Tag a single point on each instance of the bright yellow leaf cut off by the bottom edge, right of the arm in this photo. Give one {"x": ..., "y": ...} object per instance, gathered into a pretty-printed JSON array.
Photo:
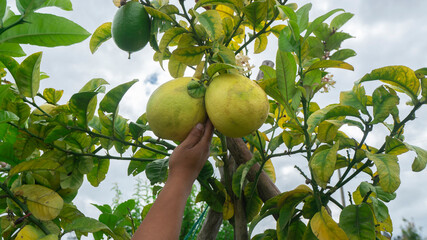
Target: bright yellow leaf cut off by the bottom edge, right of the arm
[{"x": 324, "y": 227}]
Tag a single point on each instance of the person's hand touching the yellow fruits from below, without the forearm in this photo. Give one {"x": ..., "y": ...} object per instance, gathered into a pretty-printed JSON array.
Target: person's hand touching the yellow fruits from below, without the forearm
[{"x": 188, "y": 159}]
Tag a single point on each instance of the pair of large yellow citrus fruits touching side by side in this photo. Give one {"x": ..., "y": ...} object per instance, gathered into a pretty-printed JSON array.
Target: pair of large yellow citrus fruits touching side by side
[{"x": 236, "y": 106}]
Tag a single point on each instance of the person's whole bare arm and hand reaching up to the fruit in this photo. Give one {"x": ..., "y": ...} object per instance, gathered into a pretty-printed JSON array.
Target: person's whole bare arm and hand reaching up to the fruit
[{"x": 164, "y": 219}]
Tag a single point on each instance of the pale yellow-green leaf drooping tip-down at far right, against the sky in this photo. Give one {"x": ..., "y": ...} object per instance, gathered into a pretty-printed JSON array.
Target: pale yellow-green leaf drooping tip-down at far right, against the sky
[{"x": 388, "y": 170}]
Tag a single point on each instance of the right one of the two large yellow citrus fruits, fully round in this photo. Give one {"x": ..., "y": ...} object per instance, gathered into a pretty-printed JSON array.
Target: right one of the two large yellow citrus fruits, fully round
[{"x": 236, "y": 105}]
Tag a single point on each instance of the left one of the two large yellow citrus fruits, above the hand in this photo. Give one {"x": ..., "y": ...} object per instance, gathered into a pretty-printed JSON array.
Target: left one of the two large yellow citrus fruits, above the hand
[{"x": 172, "y": 112}]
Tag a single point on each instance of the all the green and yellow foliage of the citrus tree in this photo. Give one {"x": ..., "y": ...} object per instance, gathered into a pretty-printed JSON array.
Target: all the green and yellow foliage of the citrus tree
[{"x": 49, "y": 148}]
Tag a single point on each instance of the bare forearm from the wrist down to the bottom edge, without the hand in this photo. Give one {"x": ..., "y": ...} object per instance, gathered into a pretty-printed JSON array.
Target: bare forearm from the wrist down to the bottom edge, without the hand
[{"x": 164, "y": 219}]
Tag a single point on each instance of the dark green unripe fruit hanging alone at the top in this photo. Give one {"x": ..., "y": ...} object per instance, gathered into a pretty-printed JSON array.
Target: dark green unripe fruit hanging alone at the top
[{"x": 131, "y": 27}]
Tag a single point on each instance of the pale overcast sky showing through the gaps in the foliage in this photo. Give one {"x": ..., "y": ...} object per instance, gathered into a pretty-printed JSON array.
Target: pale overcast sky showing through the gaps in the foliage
[{"x": 386, "y": 32}]
